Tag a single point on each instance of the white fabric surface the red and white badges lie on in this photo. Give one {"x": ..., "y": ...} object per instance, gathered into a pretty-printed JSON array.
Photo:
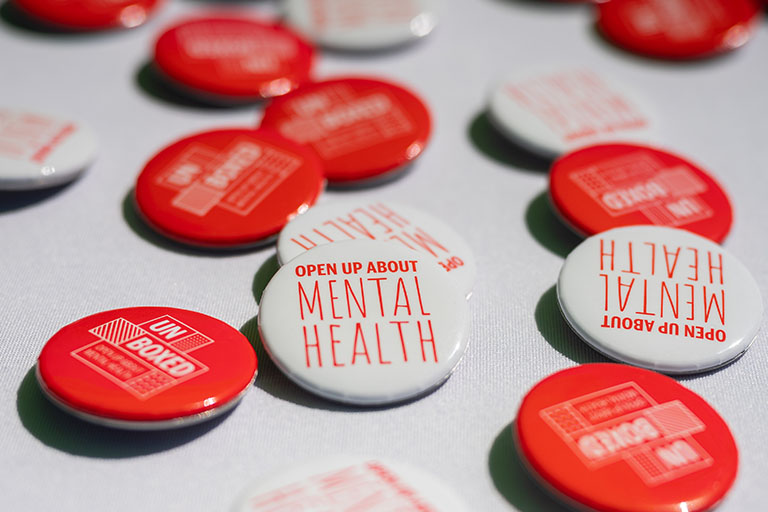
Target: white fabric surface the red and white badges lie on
[{"x": 80, "y": 250}]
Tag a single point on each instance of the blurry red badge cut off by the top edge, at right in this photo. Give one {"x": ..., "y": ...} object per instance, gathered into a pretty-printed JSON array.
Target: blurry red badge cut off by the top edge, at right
[{"x": 678, "y": 29}]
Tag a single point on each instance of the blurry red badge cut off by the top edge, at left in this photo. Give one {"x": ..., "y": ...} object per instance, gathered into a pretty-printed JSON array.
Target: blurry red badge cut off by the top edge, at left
[{"x": 90, "y": 14}]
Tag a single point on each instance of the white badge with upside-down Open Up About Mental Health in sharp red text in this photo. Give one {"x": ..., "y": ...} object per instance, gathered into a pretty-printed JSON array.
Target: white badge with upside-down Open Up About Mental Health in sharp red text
[{"x": 661, "y": 298}]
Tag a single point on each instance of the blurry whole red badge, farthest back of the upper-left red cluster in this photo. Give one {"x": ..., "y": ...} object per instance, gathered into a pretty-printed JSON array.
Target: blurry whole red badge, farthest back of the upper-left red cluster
[{"x": 233, "y": 58}]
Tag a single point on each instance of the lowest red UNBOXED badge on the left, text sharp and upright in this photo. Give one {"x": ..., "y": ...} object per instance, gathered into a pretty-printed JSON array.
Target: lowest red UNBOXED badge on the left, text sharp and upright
[{"x": 146, "y": 368}]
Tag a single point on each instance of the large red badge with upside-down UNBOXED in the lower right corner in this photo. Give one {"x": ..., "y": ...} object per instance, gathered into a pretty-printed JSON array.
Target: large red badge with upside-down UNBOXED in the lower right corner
[{"x": 618, "y": 438}]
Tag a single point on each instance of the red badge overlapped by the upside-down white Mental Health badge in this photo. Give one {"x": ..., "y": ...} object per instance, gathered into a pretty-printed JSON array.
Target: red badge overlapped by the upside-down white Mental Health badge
[{"x": 607, "y": 186}]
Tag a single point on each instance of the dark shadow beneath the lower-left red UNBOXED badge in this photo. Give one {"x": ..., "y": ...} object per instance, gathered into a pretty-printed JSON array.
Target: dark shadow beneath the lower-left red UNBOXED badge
[{"x": 57, "y": 429}]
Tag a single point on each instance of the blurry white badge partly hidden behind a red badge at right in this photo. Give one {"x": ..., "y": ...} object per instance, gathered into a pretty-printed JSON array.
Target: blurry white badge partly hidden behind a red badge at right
[{"x": 553, "y": 112}]
